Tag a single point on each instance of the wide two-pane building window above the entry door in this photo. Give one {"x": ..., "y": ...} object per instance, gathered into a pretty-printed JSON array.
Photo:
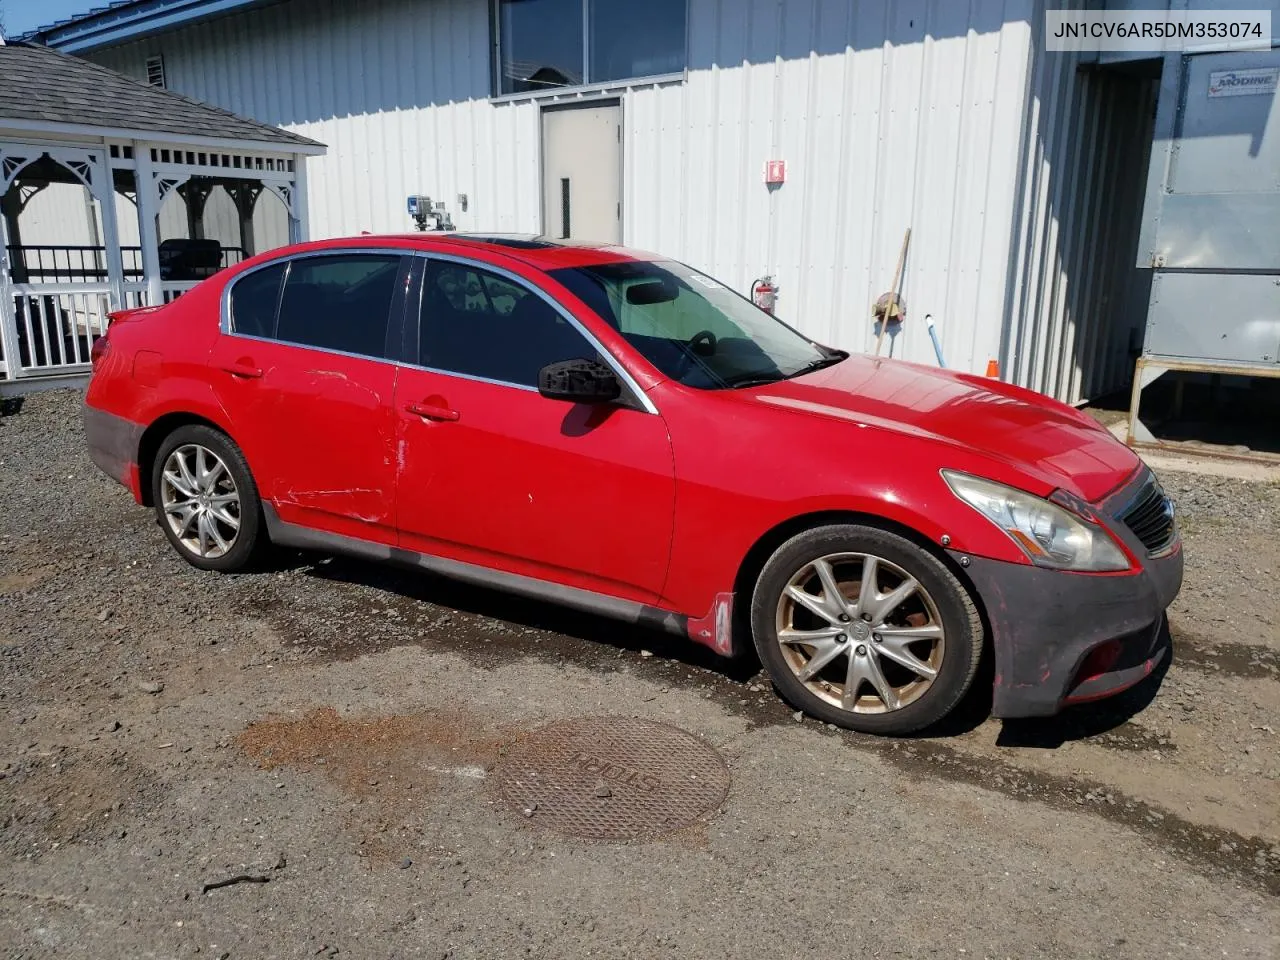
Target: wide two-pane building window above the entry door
[{"x": 548, "y": 44}]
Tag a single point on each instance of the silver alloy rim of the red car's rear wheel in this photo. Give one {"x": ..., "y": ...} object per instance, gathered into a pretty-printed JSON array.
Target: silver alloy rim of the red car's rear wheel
[{"x": 200, "y": 501}]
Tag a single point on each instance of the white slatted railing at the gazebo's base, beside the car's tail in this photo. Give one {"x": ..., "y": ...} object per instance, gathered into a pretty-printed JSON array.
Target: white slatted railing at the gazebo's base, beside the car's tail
[{"x": 57, "y": 326}]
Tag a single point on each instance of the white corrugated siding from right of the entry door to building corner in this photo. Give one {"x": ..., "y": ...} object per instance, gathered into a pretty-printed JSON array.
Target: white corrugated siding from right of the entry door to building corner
[{"x": 889, "y": 116}]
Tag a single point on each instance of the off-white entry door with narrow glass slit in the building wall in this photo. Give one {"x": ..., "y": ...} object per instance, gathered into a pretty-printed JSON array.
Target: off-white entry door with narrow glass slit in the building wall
[{"x": 583, "y": 172}]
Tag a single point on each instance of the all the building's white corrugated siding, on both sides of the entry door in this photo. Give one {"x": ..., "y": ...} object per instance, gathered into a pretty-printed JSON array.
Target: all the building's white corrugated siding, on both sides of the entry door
[{"x": 889, "y": 115}]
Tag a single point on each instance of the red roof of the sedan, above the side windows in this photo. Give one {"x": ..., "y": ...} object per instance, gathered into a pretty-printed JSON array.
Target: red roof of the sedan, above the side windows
[{"x": 541, "y": 253}]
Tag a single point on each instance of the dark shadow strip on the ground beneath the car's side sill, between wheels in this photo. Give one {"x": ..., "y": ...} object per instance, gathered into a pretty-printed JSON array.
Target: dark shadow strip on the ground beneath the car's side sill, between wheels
[{"x": 610, "y": 636}]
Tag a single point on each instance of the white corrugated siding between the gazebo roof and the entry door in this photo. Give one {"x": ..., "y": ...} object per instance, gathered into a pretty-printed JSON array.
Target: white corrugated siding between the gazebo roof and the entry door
[{"x": 396, "y": 89}]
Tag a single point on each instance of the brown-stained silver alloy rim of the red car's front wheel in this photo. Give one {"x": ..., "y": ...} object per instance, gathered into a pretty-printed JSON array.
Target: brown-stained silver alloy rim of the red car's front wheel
[{"x": 861, "y": 633}]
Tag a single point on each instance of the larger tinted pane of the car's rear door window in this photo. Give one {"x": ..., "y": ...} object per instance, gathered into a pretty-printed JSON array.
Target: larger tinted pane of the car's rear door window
[{"x": 340, "y": 303}]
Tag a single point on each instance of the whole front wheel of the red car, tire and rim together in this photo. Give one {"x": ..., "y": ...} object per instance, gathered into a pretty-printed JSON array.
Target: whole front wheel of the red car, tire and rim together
[{"x": 888, "y": 641}]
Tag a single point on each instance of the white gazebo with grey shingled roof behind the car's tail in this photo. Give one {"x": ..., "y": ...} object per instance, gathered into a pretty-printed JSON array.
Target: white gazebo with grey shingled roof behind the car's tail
[{"x": 116, "y": 194}]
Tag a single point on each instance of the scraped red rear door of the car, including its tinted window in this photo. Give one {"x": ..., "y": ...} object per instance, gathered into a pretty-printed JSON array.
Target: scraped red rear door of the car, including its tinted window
[{"x": 303, "y": 371}]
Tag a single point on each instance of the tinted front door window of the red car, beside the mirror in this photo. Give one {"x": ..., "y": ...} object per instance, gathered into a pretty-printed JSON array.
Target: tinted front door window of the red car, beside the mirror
[{"x": 481, "y": 324}]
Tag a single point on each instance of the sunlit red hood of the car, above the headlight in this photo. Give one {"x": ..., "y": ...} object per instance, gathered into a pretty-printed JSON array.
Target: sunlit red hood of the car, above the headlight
[{"x": 1052, "y": 445}]
